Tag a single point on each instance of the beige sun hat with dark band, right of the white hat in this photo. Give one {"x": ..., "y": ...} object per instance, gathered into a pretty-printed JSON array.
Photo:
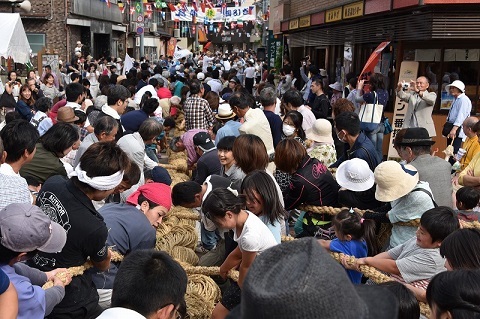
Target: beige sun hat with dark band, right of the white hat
[{"x": 394, "y": 180}]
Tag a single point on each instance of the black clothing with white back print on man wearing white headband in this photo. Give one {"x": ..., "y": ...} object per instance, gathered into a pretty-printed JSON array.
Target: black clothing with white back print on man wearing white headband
[{"x": 87, "y": 233}]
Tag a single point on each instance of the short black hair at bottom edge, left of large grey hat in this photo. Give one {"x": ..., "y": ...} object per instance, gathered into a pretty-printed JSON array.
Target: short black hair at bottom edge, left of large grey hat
[{"x": 148, "y": 280}]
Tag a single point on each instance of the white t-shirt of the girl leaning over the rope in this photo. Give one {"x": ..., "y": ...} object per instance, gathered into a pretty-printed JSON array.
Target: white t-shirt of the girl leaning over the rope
[{"x": 255, "y": 236}]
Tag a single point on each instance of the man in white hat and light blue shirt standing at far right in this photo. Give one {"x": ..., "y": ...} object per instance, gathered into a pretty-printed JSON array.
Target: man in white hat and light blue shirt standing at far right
[{"x": 460, "y": 110}]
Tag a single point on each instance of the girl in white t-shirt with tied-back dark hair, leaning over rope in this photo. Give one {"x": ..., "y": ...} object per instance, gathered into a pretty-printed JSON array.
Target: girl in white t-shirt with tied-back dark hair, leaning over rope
[{"x": 225, "y": 209}]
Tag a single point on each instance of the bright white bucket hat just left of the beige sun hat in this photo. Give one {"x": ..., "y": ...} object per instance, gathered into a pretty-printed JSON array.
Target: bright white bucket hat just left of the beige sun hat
[{"x": 355, "y": 175}]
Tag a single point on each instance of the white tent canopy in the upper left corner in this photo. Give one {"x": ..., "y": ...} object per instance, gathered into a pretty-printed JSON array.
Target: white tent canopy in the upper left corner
[{"x": 13, "y": 40}]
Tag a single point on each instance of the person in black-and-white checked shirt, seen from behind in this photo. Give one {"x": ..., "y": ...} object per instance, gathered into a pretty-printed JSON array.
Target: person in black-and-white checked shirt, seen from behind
[{"x": 198, "y": 114}]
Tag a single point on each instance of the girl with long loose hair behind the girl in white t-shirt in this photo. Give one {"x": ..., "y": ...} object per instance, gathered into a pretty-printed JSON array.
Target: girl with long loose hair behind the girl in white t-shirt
[{"x": 262, "y": 200}]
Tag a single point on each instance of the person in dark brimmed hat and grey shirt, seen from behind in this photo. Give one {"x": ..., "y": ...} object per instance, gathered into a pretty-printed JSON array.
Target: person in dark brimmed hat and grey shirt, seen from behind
[{"x": 414, "y": 147}]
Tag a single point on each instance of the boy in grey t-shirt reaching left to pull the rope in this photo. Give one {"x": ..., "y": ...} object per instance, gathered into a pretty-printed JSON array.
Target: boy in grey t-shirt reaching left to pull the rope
[{"x": 418, "y": 259}]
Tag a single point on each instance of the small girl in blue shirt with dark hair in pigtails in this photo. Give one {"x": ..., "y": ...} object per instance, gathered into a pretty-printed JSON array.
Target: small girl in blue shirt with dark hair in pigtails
[{"x": 355, "y": 237}]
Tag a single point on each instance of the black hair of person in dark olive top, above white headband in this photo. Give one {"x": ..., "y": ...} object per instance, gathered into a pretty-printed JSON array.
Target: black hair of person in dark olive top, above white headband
[{"x": 59, "y": 137}]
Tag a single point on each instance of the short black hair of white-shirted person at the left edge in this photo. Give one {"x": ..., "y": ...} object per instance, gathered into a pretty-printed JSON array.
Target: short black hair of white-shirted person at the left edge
[{"x": 18, "y": 136}]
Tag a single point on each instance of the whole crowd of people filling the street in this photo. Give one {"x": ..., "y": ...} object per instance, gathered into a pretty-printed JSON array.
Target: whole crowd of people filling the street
[{"x": 80, "y": 173}]
